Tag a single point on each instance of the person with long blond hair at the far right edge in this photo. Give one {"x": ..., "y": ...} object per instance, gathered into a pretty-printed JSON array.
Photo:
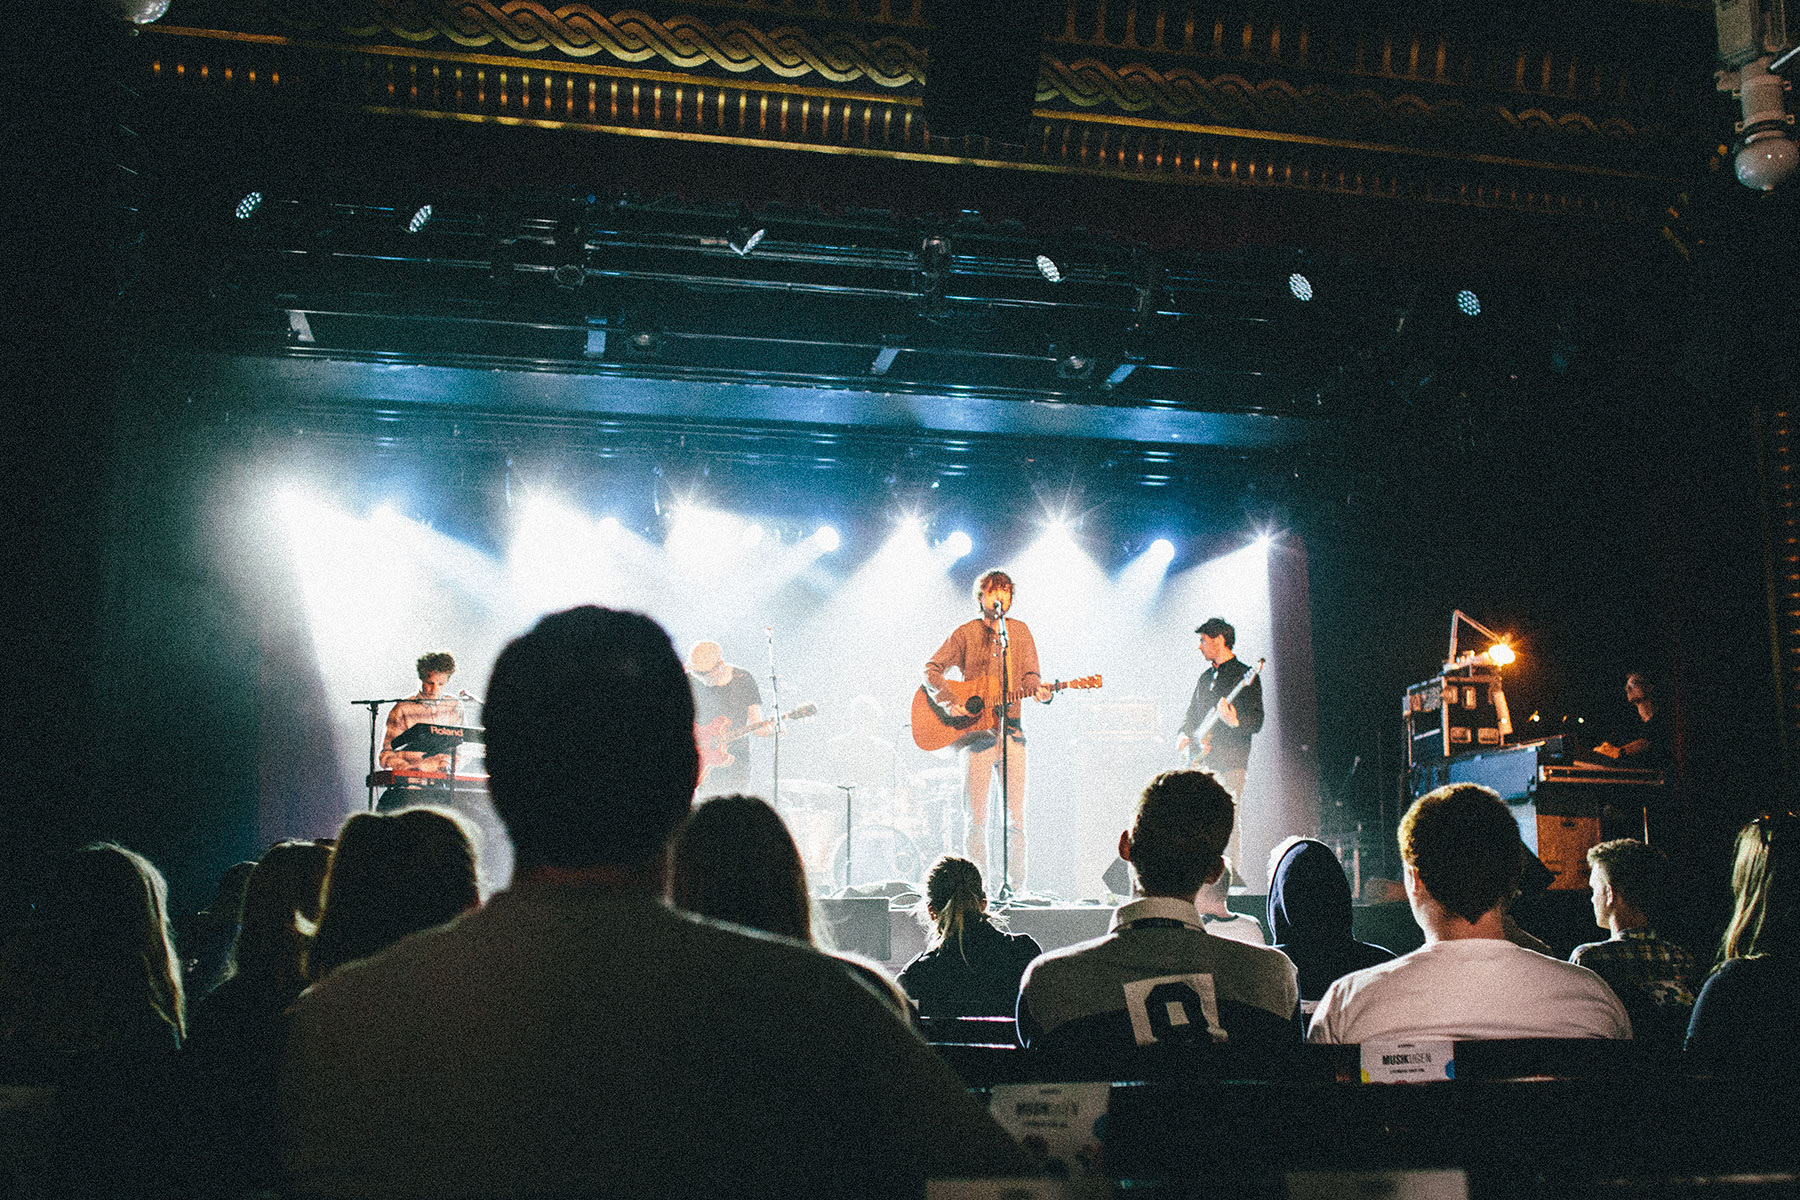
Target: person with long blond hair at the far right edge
[{"x": 1747, "y": 1019}]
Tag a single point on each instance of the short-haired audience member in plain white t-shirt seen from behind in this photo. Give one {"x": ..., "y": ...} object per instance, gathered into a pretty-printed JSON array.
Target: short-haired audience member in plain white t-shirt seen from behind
[{"x": 1464, "y": 857}]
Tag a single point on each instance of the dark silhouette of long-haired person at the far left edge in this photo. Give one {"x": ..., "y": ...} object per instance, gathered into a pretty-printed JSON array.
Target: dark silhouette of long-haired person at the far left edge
[{"x": 91, "y": 1016}]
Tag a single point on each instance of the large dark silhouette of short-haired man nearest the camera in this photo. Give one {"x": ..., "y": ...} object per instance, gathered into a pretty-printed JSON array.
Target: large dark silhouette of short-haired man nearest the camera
[{"x": 580, "y": 1037}]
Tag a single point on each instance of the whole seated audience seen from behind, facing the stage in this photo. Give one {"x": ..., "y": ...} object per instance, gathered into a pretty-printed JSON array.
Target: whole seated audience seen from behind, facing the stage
[{"x": 647, "y": 1010}]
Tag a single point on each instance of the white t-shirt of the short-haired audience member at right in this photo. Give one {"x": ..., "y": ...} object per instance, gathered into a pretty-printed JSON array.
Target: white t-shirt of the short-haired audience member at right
[{"x": 1470, "y": 990}]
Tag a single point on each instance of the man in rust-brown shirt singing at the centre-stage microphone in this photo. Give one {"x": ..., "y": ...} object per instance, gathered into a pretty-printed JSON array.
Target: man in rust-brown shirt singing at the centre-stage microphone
[{"x": 975, "y": 652}]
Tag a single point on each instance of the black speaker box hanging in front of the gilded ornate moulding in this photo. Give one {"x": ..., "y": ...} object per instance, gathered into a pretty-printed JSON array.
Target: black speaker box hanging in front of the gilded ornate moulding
[{"x": 982, "y": 64}]
